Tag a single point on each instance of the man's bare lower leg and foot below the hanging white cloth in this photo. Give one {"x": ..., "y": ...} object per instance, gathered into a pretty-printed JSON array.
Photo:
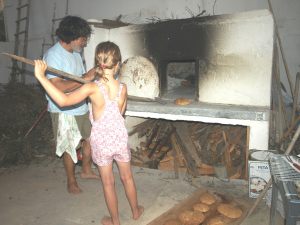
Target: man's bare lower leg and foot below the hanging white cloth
[{"x": 70, "y": 172}]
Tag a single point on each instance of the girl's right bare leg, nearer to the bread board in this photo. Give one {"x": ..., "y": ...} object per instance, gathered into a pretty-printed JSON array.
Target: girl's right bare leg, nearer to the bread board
[{"x": 130, "y": 189}]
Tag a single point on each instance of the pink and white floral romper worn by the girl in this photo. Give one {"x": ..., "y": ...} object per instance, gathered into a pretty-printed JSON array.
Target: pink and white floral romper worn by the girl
[{"x": 109, "y": 137}]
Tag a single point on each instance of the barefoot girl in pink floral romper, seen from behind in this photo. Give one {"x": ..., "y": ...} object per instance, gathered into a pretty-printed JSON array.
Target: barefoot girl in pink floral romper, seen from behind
[{"x": 109, "y": 138}]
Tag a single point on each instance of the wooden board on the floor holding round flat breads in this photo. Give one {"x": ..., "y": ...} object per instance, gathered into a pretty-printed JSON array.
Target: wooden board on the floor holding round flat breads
[{"x": 188, "y": 203}]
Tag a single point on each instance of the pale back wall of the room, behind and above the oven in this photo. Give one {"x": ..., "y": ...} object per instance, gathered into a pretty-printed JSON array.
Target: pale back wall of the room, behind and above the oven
[{"x": 141, "y": 11}]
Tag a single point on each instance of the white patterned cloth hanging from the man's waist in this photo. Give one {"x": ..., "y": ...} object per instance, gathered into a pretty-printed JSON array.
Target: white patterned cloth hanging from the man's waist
[{"x": 68, "y": 136}]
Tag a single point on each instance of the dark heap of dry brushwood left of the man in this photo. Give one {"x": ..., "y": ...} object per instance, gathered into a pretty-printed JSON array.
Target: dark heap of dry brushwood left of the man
[{"x": 22, "y": 107}]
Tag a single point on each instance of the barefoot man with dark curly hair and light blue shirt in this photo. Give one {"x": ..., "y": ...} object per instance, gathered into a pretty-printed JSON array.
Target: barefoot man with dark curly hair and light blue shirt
[{"x": 71, "y": 124}]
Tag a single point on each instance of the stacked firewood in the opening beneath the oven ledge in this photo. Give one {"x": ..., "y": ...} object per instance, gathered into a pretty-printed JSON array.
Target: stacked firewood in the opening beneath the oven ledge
[{"x": 192, "y": 147}]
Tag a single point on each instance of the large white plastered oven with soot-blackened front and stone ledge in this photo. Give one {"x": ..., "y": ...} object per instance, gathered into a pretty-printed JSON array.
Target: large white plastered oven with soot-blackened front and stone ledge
[{"x": 227, "y": 59}]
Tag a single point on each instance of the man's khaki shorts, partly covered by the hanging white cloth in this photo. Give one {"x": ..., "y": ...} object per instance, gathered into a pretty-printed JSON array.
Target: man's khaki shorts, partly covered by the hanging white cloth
[{"x": 83, "y": 123}]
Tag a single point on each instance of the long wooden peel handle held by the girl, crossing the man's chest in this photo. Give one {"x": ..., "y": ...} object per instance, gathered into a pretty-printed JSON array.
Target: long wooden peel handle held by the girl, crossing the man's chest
[{"x": 57, "y": 72}]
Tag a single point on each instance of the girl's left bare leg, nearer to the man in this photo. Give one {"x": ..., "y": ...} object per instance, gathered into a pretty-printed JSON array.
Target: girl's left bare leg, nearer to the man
[{"x": 108, "y": 182}]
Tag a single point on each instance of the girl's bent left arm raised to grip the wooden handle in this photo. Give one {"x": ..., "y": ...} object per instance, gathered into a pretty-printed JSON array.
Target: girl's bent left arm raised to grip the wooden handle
[{"x": 57, "y": 95}]
